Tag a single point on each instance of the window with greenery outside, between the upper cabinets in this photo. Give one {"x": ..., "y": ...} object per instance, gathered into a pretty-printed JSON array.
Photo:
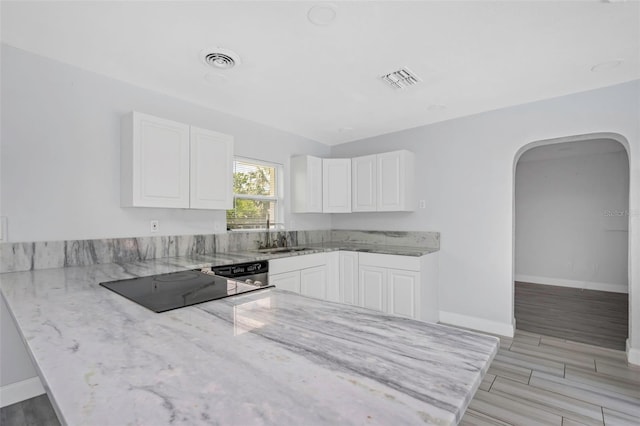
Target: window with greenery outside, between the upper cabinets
[{"x": 256, "y": 195}]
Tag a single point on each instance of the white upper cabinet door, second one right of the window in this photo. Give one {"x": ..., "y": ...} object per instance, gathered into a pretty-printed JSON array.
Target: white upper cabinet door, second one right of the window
[{"x": 336, "y": 185}]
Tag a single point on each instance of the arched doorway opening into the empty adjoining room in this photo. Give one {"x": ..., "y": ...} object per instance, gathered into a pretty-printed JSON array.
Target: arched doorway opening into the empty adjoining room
[{"x": 571, "y": 244}]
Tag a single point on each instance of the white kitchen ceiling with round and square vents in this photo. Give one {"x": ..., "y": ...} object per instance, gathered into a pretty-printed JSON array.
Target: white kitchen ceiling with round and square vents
[{"x": 323, "y": 81}]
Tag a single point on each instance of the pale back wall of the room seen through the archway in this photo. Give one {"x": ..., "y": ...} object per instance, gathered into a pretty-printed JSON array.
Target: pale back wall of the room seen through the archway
[{"x": 568, "y": 231}]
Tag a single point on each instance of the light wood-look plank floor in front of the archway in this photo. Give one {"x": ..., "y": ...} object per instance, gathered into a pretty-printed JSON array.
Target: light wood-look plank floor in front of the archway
[{"x": 540, "y": 380}]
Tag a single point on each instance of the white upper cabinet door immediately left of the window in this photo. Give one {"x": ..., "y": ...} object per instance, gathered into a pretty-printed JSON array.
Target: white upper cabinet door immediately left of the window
[{"x": 211, "y": 170}]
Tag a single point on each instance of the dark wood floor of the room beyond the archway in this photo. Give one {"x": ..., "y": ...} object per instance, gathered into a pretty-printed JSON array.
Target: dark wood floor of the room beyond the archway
[{"x": 597, "y": 318}]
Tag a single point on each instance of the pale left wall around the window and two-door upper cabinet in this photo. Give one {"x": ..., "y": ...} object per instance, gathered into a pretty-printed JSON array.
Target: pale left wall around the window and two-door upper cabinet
[{"x": 60, "y": 153}]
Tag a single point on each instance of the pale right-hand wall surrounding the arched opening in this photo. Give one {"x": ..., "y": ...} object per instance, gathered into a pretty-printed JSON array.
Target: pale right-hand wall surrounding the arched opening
[{"x": 465, "y": 171}]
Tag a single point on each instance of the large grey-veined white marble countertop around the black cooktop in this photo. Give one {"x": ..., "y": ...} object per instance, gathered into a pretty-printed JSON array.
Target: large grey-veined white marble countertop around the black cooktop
[{"x": 266, "y": 358}]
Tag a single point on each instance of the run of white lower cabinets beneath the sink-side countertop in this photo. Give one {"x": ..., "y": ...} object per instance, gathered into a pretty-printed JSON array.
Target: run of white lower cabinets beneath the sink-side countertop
[{"x": 399, "y": 285}]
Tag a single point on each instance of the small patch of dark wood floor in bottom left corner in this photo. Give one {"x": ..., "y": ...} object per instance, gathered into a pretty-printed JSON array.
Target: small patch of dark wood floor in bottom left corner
[{"x": 32, "y": 412}]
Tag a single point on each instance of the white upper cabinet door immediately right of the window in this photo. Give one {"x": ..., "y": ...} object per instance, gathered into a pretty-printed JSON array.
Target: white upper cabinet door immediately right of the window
[{"x": 306, "y": 184}]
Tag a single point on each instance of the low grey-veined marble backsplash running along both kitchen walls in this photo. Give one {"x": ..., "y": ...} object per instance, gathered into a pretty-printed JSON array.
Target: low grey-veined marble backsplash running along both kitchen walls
[{"x": 57, "y": 254}]
